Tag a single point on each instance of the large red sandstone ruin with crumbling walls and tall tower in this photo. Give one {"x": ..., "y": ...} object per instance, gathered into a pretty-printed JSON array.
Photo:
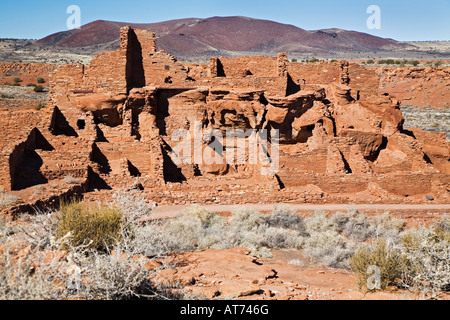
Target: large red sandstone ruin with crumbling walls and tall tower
[{"x": 108, "y": 125}]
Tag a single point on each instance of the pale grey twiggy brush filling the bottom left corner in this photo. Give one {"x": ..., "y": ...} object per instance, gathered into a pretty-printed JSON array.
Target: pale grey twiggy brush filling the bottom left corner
[{"x": 79, "y": 274}]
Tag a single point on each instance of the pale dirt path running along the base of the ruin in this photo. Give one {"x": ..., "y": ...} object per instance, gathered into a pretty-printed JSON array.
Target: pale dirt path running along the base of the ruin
[{"x": 428, "y": 209}]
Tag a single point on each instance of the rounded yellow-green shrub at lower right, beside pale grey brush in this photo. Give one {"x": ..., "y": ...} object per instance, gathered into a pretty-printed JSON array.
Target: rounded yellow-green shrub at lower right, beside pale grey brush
[{"x": 390, "y": 261}]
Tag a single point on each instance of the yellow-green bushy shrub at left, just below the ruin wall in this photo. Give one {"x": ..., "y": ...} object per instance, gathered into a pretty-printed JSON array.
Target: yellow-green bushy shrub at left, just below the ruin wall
[{"x": 96, "y": 228}]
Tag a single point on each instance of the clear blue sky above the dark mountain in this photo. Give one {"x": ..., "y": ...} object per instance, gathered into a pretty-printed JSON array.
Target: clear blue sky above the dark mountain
[{"x": 401, "y": 19}]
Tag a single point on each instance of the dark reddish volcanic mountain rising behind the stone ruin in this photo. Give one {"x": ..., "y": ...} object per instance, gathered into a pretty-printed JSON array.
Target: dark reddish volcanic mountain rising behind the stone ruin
[{"x": 188, "y": 38}]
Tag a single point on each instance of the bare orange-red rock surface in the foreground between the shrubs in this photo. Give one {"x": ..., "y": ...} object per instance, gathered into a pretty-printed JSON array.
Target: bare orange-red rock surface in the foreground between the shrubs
[{"x": 233, "y": 273}]
